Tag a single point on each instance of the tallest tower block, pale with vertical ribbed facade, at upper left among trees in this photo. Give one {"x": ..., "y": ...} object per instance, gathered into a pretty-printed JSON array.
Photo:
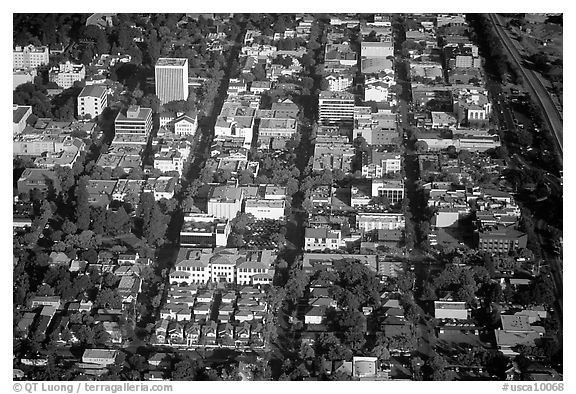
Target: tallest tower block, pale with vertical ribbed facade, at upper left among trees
[{"x": 171, "y": 79}]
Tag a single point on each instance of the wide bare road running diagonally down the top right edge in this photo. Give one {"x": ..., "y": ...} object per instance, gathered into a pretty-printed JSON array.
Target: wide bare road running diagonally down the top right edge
[{"x": 551, "y": 115}]
